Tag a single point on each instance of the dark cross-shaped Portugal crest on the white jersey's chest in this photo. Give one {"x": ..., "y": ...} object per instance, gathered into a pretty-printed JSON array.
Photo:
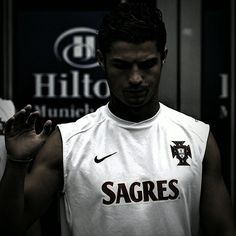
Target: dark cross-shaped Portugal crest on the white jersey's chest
[{"x": 181, "y": 152}]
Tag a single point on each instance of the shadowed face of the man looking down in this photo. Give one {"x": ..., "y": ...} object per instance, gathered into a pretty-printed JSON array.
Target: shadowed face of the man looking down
[{"x": 133, "y": 72}]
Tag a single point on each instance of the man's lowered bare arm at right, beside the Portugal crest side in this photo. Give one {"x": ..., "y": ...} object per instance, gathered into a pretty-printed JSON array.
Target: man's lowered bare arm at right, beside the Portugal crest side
[{"x": 217, "y": 216}]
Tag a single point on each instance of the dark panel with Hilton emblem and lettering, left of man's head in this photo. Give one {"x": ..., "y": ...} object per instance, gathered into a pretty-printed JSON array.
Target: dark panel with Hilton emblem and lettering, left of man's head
[{"x": 55, "y": 66}]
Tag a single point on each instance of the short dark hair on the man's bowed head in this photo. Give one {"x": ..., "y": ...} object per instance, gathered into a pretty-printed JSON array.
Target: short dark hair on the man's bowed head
[{"x": 134, "y": 23}]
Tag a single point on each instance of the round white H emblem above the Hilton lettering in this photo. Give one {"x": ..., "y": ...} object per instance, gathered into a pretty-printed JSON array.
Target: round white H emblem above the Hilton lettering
[{"x": 77, "y": 47}]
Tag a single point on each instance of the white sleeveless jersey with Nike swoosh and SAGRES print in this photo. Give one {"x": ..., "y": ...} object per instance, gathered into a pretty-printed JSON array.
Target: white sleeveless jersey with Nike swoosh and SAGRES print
[{"x": 125, "y": 178}]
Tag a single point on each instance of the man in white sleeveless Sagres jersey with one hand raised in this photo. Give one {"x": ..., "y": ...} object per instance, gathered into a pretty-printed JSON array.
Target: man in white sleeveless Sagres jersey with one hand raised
[{"x": 135, "y": 166}]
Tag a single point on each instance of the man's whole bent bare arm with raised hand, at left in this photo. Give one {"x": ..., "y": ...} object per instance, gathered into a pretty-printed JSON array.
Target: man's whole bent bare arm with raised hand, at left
[{"x": 23, "y": 198}]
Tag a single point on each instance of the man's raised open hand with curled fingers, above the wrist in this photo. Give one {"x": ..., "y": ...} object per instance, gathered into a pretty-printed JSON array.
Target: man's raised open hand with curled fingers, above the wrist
[{"x": 22, "y": 141}]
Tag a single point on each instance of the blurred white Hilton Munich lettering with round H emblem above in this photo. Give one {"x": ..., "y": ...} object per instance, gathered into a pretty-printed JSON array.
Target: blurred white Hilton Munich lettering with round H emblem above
[{"x": 76, "y": 48}]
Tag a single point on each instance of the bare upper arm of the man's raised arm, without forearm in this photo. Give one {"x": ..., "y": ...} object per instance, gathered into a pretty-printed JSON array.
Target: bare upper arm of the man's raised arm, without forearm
[{"x": 45, "y": 179}]
